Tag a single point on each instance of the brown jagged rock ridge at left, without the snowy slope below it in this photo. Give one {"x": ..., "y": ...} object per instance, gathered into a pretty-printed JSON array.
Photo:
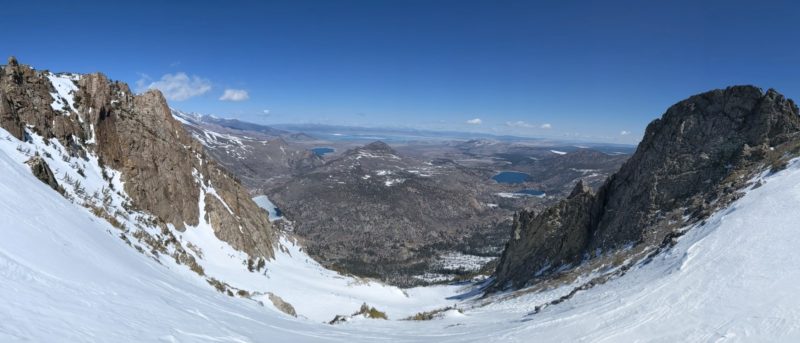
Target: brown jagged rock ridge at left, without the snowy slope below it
[{"x": 163, "y": 168}]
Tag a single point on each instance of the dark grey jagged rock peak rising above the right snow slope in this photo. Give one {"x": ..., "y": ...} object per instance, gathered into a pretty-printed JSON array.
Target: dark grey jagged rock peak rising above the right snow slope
[{"x": 691, "y": 162}]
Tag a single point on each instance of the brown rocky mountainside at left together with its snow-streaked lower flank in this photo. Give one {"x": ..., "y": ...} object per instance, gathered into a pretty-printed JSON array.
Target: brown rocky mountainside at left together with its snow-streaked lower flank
[{"x": 148, "y": 165}]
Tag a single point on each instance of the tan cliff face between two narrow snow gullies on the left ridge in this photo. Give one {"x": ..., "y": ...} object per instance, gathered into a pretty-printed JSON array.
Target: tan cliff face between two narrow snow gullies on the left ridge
[{"x": 136, "y": 135}]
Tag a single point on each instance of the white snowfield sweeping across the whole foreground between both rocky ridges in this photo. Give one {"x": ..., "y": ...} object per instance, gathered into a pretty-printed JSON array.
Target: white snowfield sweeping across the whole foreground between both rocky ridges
[{"x": 66, "y": 276}]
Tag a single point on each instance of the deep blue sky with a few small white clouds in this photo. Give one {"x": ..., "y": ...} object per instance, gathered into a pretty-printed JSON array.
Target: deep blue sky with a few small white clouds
[{"x": 560, "y": 69}]
